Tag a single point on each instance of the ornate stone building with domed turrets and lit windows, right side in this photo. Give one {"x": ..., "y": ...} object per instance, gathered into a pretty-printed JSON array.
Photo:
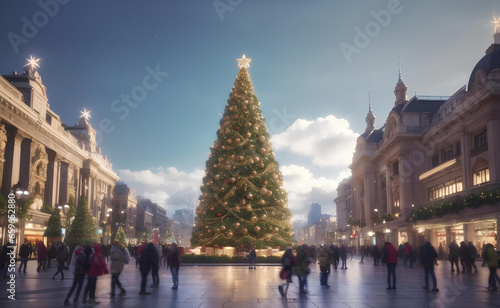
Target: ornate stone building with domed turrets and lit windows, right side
[{"x": 432, "y": 171}]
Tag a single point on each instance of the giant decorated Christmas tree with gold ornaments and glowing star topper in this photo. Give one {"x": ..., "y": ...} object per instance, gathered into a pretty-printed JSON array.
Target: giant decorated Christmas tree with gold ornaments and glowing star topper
[{"x": 242, "y": 200}]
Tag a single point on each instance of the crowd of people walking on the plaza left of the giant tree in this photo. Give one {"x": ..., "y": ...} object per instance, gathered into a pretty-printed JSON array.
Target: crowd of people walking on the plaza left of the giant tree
[{"x": 95, "y": 261}]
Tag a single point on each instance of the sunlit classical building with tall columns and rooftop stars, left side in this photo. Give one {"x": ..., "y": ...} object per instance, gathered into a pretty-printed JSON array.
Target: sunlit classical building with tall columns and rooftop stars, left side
[{"x": 57, "y": 164}]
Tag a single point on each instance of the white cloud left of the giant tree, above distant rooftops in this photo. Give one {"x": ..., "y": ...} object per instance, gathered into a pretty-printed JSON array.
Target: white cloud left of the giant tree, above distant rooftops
[{"x": 168, "y": 187}]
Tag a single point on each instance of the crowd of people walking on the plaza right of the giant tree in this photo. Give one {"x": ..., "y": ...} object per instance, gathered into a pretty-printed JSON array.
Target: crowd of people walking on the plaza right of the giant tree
[{"x": 331, "y": 257}]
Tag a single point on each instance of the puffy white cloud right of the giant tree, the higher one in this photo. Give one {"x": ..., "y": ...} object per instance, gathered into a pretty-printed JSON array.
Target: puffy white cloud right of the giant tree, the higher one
[{"x": 328, "y": 141}]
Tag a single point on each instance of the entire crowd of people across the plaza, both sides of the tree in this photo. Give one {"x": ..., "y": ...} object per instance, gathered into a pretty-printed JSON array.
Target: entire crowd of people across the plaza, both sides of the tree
[{"x": 92, "y": 261}]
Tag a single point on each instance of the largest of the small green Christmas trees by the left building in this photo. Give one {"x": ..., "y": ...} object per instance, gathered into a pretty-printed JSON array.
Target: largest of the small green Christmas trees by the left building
[{"x": 83, "y": 228}]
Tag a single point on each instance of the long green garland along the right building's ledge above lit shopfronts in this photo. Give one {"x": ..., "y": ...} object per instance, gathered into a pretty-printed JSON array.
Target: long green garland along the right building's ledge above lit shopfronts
[{"x": 454, "y": 205}]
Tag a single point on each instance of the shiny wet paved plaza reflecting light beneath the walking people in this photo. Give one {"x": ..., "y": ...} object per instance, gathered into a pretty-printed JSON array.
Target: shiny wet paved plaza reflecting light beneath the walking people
[{"x": 361, "y": 285}]
